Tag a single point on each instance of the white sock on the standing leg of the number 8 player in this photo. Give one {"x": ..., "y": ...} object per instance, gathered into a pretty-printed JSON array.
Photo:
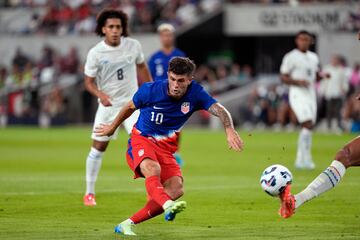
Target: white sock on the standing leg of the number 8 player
[{"x": 93, "y": 164}]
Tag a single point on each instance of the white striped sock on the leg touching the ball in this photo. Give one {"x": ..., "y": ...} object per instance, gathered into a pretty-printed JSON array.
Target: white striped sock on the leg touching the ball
[{"x": 324, "y": 182}]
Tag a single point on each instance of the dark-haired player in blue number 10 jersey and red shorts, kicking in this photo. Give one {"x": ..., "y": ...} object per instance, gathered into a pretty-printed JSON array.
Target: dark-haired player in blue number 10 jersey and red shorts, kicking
[{"x": 164, "y": 106}]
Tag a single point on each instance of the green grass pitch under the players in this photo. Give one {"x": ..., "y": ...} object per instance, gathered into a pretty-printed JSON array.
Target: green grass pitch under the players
[{"x": 42, "y": 185}]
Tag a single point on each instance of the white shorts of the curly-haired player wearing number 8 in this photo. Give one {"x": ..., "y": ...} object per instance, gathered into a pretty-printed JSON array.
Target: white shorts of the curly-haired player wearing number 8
[{"x": 107, "y": 115}]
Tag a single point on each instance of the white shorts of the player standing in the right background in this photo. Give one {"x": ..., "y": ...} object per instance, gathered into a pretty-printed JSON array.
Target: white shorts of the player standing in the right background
[{"x": 305, "y": 108}]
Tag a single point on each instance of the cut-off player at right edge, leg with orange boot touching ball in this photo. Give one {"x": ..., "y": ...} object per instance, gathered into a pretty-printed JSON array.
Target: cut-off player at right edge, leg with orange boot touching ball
[{"x": 346, "y": 157}]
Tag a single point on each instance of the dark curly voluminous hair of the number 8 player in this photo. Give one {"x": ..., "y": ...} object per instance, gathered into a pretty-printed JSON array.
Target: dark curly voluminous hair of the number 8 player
[{"x": 111, "y": 13}]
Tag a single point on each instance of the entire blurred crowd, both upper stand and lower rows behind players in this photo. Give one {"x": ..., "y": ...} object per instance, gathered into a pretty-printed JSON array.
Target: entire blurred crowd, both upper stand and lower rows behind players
[{"x": 37, "y": 90}]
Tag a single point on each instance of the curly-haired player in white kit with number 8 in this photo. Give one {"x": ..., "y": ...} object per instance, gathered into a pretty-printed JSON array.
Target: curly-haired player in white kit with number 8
[{"x": 111, "y": 75}]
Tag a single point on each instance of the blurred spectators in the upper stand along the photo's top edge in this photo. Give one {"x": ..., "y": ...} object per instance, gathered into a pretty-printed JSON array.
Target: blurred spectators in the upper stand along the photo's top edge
[{"x": 78, "y": 16}]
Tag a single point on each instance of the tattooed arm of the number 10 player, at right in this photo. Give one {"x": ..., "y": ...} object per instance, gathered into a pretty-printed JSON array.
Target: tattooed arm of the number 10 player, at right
[{"x": 233, "y": 137}]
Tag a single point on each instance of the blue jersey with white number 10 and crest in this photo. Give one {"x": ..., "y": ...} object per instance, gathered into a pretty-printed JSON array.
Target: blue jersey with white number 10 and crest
[{"x": 162, "y": 117}]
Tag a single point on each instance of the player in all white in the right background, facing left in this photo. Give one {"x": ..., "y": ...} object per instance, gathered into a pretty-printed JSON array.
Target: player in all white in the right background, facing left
[{"x": 300, "y": 70}]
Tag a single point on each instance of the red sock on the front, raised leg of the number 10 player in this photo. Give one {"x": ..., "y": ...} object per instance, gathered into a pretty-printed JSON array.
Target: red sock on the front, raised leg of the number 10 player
[{"x": 156, "y": 190}]
